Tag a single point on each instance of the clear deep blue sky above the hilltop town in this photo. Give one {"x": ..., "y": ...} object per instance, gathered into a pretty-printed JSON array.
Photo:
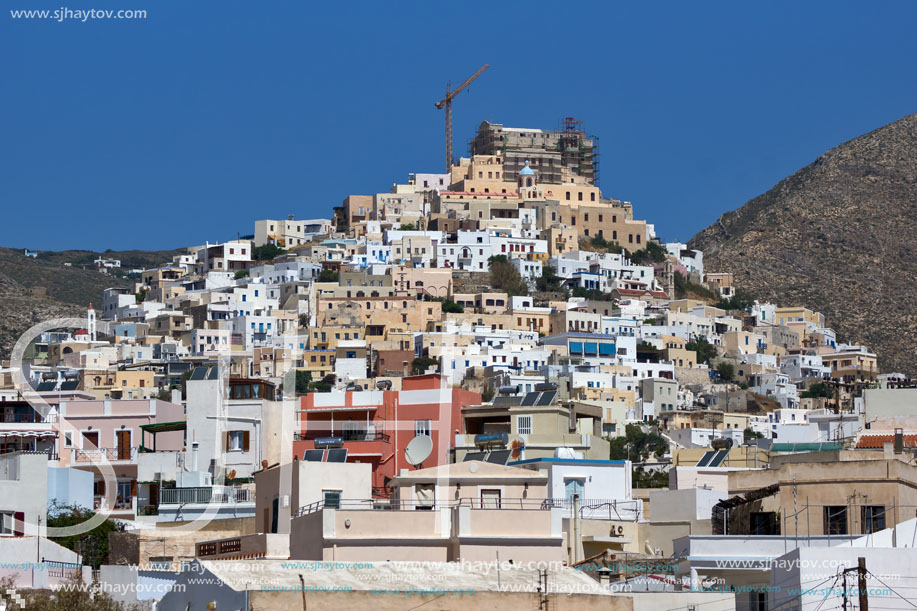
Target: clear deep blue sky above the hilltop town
[{"x": 189, "y": 125}]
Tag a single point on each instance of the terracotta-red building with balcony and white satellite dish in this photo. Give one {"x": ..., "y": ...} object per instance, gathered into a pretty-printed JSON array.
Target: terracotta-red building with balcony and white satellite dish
[{"x": 375, "y": 426}]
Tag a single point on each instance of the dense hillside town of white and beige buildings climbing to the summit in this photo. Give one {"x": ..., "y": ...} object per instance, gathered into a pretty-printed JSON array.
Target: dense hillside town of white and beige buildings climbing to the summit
[{"x": 497, "y": 364}]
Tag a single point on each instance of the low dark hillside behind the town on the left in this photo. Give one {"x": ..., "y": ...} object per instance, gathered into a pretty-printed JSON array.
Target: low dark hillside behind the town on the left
[{"x": 36, "y": 289}]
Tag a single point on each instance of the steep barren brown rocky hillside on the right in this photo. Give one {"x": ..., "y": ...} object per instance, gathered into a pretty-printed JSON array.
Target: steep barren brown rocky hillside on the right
[{"x": 837, "y": 236}]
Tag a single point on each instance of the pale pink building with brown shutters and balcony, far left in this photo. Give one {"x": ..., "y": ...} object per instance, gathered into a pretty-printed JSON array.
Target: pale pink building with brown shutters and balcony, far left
[{"x": 96, "y": 435}]
